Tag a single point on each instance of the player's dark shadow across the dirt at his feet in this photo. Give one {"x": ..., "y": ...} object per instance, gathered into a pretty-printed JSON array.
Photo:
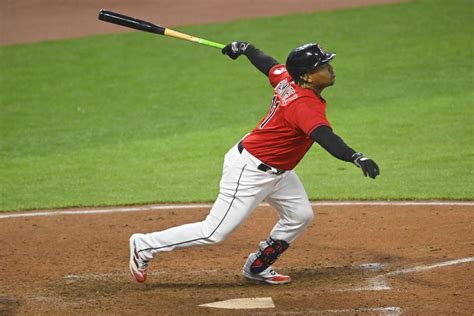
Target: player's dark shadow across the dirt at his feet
[{"x": 114, "y": 284}]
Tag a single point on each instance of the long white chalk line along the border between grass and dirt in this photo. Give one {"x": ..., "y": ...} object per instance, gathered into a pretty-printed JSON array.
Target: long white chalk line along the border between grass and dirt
[{"x": 199, "y": 206}]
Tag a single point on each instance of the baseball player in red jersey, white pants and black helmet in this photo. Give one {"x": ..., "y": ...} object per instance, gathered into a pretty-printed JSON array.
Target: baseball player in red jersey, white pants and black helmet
[{"x": 260, "y": 166}]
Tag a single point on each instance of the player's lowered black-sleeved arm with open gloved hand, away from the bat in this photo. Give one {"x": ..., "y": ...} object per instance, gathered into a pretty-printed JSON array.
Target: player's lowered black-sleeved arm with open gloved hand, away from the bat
[{"x": 334, "y": 144}]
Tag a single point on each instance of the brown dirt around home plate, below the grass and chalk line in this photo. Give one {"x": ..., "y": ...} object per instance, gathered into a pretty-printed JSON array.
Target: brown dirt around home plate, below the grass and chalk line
[{"x": 78, "y": 264}]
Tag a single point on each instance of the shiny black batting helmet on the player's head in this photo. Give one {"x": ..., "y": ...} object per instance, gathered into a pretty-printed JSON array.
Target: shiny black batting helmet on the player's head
[{"x": 305, "y": 58}]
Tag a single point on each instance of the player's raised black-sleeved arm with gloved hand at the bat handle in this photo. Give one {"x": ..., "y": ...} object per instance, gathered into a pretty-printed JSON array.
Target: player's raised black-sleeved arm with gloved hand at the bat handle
[{"x": 260, "y": 60}]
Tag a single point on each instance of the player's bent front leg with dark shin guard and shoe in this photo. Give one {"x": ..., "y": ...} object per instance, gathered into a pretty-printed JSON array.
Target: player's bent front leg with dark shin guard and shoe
[{"x": 291, "y": 202}]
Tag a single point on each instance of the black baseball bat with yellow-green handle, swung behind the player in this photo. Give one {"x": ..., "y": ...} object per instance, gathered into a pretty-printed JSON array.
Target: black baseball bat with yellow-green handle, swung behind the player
[{"x": 127, "y": 21}]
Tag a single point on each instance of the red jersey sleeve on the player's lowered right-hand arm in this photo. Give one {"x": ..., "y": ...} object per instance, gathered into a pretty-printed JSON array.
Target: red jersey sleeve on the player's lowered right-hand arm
[{"x": 307, "y": 116}]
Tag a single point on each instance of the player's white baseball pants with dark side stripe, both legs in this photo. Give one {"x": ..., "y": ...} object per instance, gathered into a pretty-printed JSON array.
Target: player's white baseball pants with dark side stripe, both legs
[{"x": 242, "y": 188}]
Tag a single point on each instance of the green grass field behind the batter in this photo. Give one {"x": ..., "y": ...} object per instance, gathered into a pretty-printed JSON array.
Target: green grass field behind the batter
[{"x": 136, "y": 118}]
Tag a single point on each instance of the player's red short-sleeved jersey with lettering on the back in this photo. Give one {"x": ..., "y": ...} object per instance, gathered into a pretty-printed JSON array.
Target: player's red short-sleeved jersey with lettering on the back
[{"x": 281, "y": 139}]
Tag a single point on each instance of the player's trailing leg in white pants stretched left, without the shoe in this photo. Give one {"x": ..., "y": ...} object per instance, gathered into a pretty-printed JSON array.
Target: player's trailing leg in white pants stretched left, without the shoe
[{"x": 242, "y": 188}]
